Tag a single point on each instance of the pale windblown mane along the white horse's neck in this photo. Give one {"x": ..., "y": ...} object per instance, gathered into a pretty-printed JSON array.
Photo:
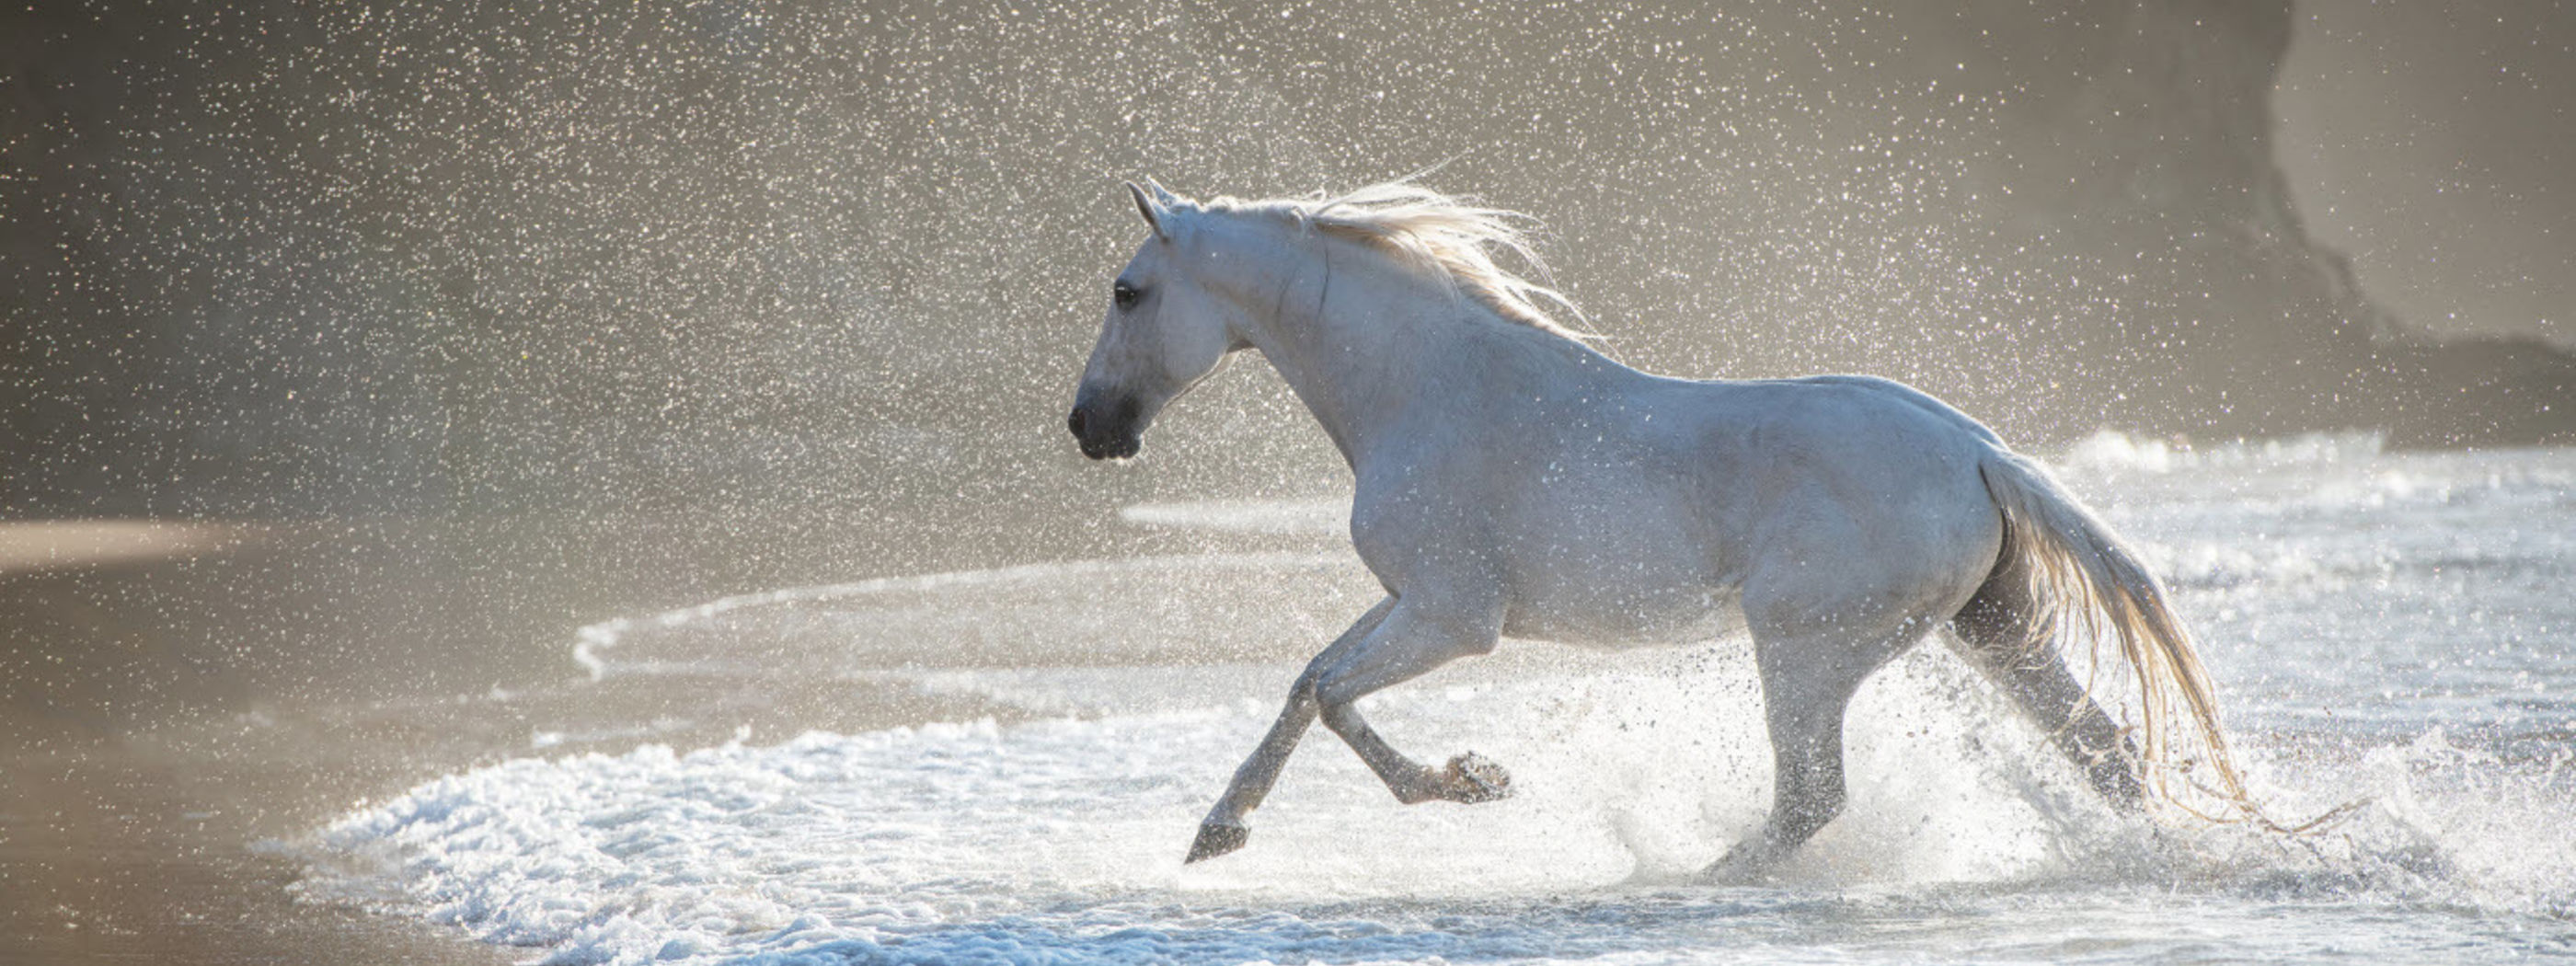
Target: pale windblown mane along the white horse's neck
[{"x": 1452, "y": 238}]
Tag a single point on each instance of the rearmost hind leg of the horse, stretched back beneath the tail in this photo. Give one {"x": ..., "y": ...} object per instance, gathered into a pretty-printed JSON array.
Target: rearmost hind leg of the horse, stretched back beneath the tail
[{"x": 1995, "y": 632}]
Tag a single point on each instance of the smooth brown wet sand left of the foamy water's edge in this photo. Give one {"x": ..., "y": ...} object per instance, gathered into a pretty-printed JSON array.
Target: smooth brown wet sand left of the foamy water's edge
[{"x": 184, "y": 702}]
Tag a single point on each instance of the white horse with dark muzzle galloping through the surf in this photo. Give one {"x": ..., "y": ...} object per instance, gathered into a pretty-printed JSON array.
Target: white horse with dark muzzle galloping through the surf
[{"x": 1519, "y": 483}]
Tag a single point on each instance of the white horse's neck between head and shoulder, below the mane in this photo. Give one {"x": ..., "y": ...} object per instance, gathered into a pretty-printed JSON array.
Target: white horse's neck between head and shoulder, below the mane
[{"x": 1385, "y": 357}]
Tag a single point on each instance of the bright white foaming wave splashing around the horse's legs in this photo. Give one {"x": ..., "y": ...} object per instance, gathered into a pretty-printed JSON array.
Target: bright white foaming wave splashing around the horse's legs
[{"x": 1060, "y": 838}]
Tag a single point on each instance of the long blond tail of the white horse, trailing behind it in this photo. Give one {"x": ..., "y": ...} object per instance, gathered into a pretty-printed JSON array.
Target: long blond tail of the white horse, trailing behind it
[{"x": 2083, "y": 578}]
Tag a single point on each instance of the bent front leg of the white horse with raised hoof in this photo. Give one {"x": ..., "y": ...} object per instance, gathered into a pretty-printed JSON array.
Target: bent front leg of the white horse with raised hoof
[{"x": 1413, "y": 643}]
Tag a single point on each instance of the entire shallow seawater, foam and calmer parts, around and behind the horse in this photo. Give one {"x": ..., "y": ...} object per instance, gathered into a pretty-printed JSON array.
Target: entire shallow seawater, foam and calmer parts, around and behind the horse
[{"x": 2389, "y": 630}]
